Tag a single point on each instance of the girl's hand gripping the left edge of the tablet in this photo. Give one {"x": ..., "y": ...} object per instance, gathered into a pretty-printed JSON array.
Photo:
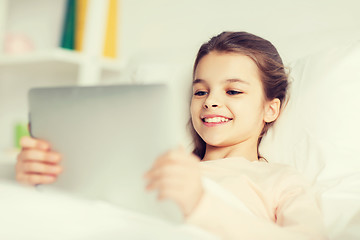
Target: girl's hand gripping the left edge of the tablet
[{"x": 36, "y": 163}]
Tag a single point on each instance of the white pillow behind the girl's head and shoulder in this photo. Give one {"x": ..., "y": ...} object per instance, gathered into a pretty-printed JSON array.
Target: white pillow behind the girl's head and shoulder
[{"x": 318, "y": 131}]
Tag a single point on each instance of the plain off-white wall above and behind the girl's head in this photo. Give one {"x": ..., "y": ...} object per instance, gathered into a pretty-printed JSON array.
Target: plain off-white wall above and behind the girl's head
[{"x": 181, "y": 26}]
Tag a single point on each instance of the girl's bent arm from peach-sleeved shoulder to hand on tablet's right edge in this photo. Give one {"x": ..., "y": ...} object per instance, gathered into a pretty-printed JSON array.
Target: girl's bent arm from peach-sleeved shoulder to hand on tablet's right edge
[{"x": 176, "y": 176}]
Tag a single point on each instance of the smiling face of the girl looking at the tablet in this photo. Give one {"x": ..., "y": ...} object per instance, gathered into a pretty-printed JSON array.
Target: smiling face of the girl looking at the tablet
[{"x": 227, "y": 106}]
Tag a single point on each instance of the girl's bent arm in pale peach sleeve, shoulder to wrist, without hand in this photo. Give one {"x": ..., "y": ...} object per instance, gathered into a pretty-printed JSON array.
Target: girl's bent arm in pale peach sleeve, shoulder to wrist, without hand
[{"x": 297, "y": 217}]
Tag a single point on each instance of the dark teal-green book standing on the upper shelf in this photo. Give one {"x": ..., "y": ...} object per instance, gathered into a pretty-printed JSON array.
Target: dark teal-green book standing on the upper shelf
[{"x": 68, "y": 32}]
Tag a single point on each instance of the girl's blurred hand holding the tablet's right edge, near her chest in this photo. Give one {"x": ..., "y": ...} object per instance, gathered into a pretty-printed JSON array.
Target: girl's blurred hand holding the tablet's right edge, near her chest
[{"x": 176, "y": 176}]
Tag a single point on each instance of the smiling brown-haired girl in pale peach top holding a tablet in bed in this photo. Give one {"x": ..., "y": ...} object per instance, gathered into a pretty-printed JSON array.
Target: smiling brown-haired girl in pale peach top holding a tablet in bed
[{"x": 239, "y": 87}]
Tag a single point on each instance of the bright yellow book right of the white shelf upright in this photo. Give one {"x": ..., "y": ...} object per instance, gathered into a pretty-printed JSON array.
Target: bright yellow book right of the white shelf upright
[{"x": 111, "y": 33}]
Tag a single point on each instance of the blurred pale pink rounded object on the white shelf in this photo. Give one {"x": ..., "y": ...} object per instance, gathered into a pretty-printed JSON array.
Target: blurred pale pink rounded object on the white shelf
[{"x": 17, "y": 44}]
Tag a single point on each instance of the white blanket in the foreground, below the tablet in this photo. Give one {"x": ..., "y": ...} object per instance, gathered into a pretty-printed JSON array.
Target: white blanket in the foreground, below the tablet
[{"x": 26, "y": 213}]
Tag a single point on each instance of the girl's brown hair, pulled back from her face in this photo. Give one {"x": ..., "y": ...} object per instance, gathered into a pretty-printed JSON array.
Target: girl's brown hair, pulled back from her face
[{"x": 264, "y": 54}]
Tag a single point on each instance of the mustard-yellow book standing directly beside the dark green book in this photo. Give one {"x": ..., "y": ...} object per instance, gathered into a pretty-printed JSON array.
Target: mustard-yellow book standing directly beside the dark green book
[{"x": 81, "y": 7}]
